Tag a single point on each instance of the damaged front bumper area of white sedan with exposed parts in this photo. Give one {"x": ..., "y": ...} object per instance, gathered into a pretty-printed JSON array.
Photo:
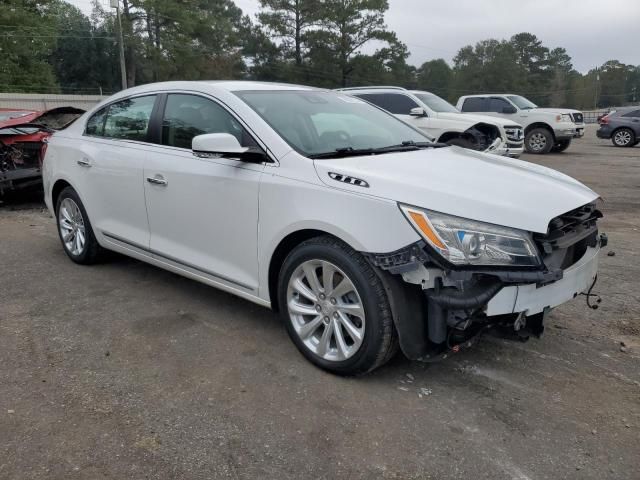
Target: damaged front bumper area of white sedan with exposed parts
[{"x": 438, "y": 310}]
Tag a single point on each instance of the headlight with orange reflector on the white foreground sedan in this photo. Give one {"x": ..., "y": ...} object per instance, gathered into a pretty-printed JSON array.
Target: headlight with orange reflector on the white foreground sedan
[{"x": 467, "y": 242}]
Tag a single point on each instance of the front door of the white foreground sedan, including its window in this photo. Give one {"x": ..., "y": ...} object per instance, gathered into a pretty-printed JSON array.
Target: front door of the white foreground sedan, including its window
[{"x": 203, "y": 212}]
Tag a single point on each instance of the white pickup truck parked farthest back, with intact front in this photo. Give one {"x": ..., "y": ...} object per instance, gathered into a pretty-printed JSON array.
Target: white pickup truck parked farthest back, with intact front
[{"x": 545, "y": 129}]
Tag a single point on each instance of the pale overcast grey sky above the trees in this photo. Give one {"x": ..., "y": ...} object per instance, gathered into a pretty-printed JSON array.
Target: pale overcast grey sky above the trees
[{"x": 592, "y": 31}]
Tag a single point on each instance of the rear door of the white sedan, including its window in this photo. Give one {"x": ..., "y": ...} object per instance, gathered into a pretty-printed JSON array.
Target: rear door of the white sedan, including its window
[{"x": 110, "y": 169}]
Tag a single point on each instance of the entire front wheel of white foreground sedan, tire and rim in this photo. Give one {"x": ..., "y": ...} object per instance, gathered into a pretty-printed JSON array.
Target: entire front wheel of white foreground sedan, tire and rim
[{"x": 335, "y": 307}]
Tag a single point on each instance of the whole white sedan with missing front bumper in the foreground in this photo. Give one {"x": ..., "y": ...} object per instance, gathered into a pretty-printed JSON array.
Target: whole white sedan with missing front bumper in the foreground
[{"x": 327, "y": 209}]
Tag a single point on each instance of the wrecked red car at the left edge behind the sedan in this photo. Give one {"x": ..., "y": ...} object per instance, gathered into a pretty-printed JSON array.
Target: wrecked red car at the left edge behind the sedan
[{"x": 23, "y": 135}]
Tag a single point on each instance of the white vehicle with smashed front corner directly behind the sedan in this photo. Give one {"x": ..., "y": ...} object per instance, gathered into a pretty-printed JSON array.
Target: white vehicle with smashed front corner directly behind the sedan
[{"x": 445, "y": 123}]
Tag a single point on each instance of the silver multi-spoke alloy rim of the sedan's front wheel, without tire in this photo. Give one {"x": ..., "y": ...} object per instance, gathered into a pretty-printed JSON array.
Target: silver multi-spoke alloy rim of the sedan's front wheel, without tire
[{"x": 326, "y": 310}]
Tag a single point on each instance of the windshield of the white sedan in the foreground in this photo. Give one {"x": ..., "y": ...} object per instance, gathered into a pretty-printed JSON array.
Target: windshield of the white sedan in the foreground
[{"x": 317, "y": 122}]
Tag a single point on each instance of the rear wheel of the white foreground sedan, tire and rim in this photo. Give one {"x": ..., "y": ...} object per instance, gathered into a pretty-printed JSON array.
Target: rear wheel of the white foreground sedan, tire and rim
[{"x": 74, "y": 229}]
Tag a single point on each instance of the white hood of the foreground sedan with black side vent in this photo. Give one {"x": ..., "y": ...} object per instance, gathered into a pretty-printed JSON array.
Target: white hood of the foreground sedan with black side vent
[{"x": 464, "y": 183}]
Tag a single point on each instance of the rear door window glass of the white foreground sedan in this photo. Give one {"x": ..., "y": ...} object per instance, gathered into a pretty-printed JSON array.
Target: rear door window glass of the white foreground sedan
[{"x": 129, "y": 119}]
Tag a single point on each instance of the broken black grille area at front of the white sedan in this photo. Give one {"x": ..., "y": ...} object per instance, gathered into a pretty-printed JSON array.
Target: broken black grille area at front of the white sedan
[{"x": 568, "y": 237}]
